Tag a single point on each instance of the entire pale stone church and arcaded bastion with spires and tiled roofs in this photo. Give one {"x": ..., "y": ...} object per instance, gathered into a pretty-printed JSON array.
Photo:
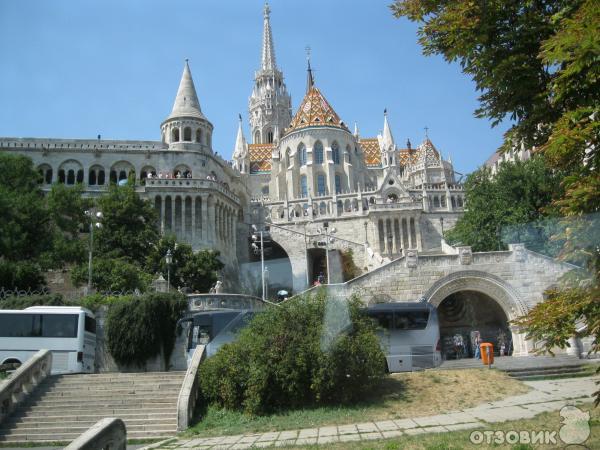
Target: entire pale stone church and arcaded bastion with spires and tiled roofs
[{"x": 303, "y": 172}]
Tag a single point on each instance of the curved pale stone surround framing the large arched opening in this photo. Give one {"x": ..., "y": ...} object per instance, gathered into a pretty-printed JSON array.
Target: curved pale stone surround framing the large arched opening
[{"x": 493, "y": 288}]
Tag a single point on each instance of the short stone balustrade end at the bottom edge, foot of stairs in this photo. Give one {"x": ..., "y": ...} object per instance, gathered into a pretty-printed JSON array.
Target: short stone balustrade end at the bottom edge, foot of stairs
[{"x": 106, "y": 434}]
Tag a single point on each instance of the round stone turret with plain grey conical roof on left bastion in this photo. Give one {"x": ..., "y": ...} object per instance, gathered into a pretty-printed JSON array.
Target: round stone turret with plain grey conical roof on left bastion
[{"x": 186, "y": 124}]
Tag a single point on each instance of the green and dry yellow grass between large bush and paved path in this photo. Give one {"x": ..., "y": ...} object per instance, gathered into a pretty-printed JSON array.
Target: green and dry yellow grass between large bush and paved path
[{"x": 400, "y": 396}]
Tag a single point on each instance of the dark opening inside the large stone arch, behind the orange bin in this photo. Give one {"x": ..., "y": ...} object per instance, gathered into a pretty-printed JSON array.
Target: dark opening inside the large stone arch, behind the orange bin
[{"x": 464, "y": 314}]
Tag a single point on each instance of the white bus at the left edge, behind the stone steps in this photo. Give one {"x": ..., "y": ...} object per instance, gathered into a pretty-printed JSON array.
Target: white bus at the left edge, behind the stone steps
[{"x": 68, "y": 331}]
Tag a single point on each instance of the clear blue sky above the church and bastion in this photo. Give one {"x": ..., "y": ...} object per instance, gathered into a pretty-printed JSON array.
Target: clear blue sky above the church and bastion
[{"x": 75, "y": 69}]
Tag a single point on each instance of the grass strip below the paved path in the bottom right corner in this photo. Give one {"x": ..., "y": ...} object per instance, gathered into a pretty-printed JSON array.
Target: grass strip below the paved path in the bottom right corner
[{"x": 458, "y": 440}]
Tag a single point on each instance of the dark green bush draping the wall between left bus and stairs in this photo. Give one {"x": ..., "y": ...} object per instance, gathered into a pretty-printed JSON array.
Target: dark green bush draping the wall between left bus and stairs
[{"x": 138, "y": 327}]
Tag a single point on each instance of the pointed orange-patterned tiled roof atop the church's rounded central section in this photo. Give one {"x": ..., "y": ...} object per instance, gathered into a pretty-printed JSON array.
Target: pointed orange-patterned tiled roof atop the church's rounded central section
[{"x": 315, "y": 111}]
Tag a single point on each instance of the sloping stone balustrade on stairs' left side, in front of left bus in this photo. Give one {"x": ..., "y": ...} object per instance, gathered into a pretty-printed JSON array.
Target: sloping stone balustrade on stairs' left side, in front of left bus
[{"x": 23, "y": 381}]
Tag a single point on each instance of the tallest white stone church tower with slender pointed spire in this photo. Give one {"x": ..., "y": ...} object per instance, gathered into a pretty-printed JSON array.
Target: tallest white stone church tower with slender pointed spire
[{"x": 270, "y": 105}]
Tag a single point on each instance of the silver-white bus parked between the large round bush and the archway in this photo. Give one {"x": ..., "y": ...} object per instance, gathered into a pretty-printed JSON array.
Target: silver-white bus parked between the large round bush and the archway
[{"x": 409, "y": 334}]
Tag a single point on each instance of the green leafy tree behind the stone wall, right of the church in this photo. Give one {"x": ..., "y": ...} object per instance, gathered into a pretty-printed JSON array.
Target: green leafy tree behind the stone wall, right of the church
[{"x": 508, "y": 207}]
